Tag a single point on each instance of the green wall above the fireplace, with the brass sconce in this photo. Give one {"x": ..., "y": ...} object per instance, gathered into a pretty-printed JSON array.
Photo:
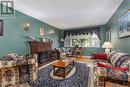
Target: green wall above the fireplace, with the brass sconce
[{"x": 15, "y": 37}]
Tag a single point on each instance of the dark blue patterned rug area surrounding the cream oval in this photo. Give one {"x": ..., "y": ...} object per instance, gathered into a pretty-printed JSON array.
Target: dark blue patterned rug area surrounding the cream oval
[{"x": 79, "y": 79}]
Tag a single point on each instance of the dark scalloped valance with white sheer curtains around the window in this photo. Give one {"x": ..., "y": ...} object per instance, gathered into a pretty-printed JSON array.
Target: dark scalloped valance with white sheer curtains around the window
[{"x": 92, "y": 36}]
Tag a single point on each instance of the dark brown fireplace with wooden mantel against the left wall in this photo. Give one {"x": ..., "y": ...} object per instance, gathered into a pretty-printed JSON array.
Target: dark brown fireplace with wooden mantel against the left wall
[{"x": 43, "y": 50}]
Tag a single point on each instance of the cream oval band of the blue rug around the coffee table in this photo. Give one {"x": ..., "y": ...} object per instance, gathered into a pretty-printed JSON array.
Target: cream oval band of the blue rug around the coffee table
[{"x": 60, "y": 78}]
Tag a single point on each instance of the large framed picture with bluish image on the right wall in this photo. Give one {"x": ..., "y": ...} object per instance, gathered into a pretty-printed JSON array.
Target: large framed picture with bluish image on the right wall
[{"x": 124, "y": 25}]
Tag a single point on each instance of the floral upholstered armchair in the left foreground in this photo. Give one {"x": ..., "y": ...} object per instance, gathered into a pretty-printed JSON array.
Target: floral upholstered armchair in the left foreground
[{"x": 15, "y": 69}]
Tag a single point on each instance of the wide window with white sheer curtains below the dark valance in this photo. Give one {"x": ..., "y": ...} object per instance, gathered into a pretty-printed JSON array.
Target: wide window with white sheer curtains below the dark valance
[{"x": 86, "y": 40}]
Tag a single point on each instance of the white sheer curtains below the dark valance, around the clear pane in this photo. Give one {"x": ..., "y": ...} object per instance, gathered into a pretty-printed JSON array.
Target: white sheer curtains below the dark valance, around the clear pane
[{"x": 92, "y": 40}]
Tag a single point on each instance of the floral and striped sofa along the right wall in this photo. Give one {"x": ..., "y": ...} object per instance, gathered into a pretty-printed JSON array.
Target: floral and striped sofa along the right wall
[{"x": 115, "y": 68}]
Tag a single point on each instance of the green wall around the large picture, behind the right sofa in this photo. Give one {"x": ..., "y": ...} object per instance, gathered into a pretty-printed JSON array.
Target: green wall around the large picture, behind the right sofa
[{"x": 123, "y": 43}]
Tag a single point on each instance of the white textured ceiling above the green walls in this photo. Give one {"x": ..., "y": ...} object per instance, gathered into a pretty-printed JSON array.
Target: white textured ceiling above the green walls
[{"x": 66, "y": 14}]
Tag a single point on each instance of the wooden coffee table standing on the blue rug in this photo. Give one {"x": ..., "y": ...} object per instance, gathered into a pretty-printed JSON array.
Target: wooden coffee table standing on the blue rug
[{"x": 63, "y": 64}]
